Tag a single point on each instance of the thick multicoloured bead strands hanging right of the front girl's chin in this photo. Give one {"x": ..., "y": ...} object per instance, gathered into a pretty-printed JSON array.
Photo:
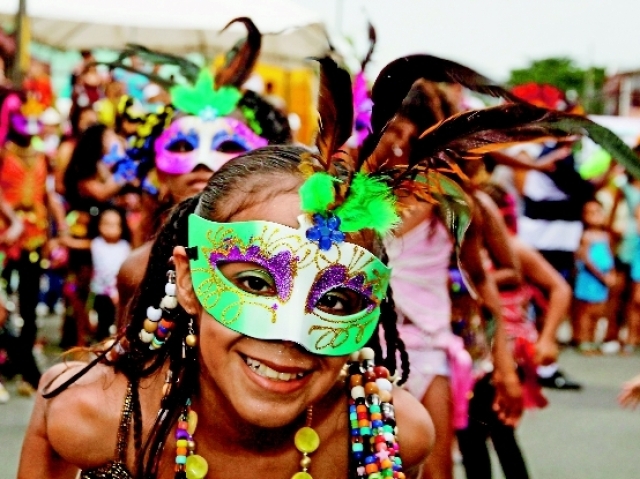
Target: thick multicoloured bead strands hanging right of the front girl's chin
[{"x": 374, "y": 447}]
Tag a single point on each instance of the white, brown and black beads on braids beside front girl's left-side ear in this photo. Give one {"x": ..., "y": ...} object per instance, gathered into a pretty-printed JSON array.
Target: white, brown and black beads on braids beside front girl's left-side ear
[{"x": 157, "y": 327}]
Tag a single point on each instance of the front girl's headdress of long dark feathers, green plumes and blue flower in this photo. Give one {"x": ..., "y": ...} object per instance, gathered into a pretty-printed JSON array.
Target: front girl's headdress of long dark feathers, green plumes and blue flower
[{"x": 408, "y": 153}]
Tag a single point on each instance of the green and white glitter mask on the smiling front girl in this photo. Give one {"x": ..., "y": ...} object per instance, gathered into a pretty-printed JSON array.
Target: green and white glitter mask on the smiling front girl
[{"x": 286, "y": 288}]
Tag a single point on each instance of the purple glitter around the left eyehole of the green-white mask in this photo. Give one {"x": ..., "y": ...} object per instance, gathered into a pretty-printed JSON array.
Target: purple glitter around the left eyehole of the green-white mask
[{"x": 279, "y": 266}]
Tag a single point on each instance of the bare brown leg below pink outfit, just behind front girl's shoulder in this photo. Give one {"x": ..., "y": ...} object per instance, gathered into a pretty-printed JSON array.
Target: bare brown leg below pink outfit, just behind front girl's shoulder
[{"x": 437, "y": 401}]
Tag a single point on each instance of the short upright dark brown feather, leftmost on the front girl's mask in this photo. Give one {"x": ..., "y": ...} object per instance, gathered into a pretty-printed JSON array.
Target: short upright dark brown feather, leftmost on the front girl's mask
[{"x": 335, "y": 107}]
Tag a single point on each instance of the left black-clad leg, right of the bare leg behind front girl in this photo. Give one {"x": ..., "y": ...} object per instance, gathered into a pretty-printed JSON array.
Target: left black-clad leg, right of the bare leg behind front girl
[{"x": 472, "y": 441}]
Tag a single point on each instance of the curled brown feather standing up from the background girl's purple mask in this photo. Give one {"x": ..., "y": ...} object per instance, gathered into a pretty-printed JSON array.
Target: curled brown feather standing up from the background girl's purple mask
[{"x": 242, "y": 58}]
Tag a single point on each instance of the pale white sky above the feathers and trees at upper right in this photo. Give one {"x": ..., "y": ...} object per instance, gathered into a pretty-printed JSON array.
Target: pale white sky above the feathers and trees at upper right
[{"x": 492, "y": 36}]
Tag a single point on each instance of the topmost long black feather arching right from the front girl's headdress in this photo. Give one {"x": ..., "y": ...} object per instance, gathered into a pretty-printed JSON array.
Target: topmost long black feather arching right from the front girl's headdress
[{"x": 395, "y": 80}]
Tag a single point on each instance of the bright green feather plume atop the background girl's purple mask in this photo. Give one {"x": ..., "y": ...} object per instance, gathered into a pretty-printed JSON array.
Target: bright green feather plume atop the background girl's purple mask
[{"x": 194, "y": 99}]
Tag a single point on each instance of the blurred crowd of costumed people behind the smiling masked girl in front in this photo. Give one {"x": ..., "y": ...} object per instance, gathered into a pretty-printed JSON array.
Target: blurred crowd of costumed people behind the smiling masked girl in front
[{"x": 561, "y": 246}]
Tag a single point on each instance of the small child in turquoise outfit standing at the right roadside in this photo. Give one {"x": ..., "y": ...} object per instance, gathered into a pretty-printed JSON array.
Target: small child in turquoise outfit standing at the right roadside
[{"x": 594, "y": 276}]
